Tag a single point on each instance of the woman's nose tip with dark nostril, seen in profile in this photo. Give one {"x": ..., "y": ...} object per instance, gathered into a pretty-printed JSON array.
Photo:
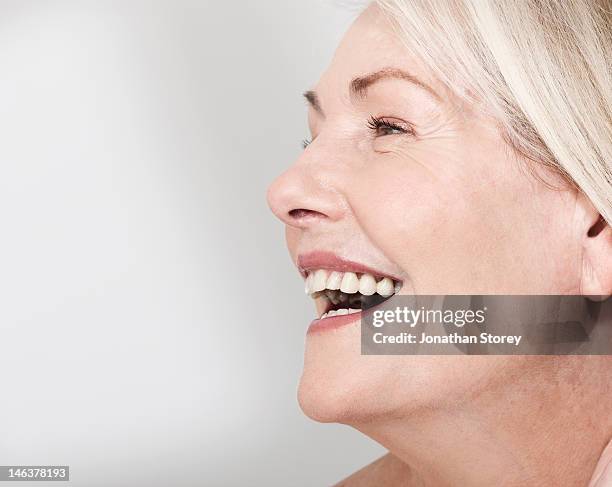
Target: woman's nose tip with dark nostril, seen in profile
[{"x": 305, "y": 195}]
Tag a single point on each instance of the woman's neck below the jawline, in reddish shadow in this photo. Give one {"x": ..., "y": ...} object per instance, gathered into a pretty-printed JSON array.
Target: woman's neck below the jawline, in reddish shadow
[{"x": 549, "y": 431}]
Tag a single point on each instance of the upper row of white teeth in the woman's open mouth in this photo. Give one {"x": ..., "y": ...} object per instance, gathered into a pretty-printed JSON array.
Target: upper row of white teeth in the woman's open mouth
[{"x": 349, "y": 282}]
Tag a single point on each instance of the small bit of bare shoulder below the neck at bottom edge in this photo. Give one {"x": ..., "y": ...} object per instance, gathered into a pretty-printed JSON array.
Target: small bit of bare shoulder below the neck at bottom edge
[{"x": 387, "y": 471}]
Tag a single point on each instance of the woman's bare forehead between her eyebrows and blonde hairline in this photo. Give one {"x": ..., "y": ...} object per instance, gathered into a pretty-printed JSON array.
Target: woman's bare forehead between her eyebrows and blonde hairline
[{"x": 368, "y": 46}]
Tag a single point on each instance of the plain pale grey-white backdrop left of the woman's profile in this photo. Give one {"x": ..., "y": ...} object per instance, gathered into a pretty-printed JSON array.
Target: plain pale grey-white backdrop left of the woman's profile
[{"x": 151, "y": 324}]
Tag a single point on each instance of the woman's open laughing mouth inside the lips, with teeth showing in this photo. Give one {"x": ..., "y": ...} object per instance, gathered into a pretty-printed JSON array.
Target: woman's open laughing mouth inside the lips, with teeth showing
[{"x": 342, "y": 293}]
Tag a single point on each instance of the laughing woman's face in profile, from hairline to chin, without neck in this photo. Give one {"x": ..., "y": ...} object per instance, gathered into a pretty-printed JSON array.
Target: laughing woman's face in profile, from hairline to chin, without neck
[{"x": 401, "y": 178}]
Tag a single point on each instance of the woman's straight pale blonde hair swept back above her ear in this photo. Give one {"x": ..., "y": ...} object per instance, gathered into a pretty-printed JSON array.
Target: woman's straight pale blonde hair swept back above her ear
[{"x": 542, "y": 67}]
